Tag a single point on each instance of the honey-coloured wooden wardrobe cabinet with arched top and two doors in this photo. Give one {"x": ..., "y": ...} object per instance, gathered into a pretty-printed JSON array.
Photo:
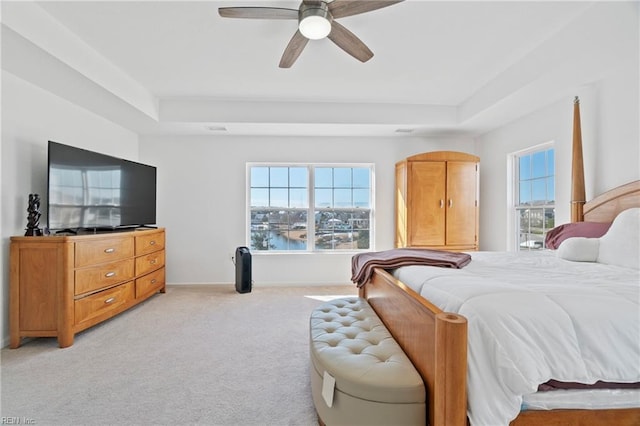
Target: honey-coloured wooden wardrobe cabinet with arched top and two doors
[{"x": 437, "y": 201}]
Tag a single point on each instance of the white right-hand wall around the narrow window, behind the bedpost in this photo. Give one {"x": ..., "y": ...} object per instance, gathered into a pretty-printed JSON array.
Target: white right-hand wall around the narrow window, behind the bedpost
[{"x": 609, "y": 112}]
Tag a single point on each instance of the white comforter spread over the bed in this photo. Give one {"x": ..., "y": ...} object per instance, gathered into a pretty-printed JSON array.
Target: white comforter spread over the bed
[{"x": 533, "y": 317}]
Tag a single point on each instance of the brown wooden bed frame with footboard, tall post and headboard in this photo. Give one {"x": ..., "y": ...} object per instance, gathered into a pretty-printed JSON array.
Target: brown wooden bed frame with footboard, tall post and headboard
[{"x": 436, "y": 341}]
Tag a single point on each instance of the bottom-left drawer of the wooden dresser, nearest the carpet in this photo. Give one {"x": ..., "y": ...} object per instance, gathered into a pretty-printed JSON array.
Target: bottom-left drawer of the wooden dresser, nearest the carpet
[{"x": 99, "y": 304}]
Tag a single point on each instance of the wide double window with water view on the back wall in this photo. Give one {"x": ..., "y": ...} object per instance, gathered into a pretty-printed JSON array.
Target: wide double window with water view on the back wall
[{"x": 312, "y": 208}]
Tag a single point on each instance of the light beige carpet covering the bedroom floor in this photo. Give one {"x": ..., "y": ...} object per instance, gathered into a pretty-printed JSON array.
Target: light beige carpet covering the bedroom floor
[{"x": 196, "y": 355}]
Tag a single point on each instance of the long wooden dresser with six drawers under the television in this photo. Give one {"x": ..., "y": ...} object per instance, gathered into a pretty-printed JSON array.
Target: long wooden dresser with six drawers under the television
[{"x": 61, "y": 285}]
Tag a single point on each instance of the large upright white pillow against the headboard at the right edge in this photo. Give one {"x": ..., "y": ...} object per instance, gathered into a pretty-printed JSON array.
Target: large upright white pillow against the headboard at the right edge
[{"x": 621, "y": 244}]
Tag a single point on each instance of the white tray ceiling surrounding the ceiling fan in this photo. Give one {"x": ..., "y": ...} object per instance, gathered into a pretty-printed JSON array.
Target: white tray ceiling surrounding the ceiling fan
[{"x": 440, "y": 67}]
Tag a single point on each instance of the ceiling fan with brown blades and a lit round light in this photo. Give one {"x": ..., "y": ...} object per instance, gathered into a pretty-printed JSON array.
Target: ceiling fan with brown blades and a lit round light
[{"x": 316, "y": 20}]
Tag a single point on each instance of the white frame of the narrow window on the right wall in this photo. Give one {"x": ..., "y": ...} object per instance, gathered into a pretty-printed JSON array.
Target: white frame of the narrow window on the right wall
[{"x": 515, "y": 205}]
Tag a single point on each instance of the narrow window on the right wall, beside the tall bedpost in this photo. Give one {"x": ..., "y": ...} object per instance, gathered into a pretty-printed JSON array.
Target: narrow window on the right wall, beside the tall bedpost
[{"x": 535, "y": 197}]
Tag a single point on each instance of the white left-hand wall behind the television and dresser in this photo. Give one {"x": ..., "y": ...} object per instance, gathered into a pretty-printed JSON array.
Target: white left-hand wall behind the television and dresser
[{"x": 31, "y": 117}]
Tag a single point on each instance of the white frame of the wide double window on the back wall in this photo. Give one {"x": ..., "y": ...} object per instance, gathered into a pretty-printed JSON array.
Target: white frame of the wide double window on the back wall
[{"x": 311, "y": 208}]
